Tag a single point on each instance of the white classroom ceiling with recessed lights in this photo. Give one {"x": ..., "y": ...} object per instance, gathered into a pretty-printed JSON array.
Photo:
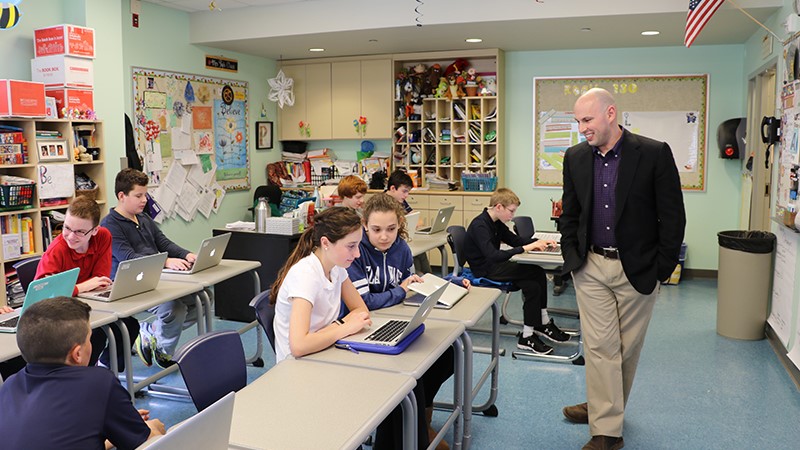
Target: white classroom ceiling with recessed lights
[{"x": 286, "y": 29}]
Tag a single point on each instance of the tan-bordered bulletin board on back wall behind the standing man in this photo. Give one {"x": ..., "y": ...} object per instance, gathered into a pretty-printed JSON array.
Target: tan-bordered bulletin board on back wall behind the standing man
[{"x": 671, "y": 108}]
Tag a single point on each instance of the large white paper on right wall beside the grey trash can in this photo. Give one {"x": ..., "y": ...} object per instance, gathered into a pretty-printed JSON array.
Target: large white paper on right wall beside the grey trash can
[{"x": 780, "y": 317}]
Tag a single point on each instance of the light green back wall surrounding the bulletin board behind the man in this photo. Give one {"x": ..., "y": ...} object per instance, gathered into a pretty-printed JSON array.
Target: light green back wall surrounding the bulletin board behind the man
[{"x": 708, "y": 212}]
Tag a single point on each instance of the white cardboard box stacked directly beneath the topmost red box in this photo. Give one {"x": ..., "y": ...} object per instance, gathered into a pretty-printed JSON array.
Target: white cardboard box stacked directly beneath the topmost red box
[{"x": 63, "y": 71}]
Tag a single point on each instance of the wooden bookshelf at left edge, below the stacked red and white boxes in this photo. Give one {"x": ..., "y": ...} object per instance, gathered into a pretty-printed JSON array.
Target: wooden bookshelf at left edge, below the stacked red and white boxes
[{"x": 38, "y": 136}]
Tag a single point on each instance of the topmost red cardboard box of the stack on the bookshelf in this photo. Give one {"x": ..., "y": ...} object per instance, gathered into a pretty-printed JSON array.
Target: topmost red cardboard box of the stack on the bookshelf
[{"x": 64, "y": 40}]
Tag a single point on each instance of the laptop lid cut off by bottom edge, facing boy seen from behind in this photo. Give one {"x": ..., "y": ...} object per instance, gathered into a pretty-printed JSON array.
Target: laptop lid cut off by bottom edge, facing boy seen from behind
[{"x": 209, "y": 429}]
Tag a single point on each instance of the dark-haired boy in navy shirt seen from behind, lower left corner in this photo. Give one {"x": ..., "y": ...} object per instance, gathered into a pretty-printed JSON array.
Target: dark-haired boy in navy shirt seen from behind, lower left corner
[{"x": 58, "y": 402}]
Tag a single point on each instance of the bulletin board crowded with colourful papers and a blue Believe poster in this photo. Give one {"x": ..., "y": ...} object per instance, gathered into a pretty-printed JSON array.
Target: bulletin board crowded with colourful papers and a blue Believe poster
[{"x": 196, "y": 121}]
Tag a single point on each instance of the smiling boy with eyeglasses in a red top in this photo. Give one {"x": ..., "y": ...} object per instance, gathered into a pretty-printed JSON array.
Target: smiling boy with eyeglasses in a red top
[{"x": 84, "y": 244}]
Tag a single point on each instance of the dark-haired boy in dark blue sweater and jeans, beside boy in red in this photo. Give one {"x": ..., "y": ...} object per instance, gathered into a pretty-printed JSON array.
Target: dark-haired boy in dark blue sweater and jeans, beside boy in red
[{"x": 135, "y": 234}]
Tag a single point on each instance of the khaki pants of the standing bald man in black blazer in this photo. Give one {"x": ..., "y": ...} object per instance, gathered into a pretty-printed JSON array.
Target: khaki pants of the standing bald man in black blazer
[{"x": 614, "y": 319}]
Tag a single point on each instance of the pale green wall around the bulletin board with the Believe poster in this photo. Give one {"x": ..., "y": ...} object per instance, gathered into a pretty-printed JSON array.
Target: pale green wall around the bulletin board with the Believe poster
[{"x": 162, "y": 42}]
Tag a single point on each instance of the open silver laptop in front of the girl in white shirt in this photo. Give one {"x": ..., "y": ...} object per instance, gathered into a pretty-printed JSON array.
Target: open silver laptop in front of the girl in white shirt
[{"x": 390, "y": 332}]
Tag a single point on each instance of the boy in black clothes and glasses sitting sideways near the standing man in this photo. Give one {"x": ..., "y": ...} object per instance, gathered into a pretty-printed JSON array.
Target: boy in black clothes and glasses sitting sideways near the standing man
[{"x": 482, "y": 251}]
